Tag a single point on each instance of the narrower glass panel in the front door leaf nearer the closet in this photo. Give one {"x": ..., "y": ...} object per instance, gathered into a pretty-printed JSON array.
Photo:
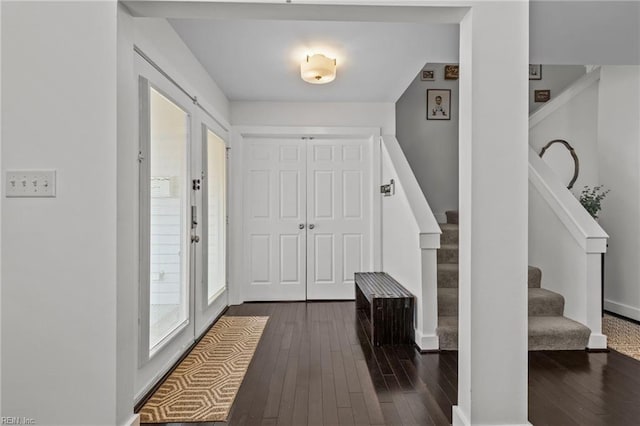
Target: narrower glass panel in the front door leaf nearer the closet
[{"x": 216, "y": 218}]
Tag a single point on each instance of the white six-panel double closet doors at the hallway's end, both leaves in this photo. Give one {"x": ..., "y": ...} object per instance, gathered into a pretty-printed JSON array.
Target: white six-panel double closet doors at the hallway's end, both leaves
[{"x": 307, "y": 217}]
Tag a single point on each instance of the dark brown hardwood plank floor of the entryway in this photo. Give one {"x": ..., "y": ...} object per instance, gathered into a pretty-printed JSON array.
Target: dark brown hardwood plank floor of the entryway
[{"x": 315, "y": 366}]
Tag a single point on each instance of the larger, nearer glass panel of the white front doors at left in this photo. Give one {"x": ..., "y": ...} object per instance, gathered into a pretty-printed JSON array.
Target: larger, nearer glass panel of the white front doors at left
[{"x": 169, "y": 198}]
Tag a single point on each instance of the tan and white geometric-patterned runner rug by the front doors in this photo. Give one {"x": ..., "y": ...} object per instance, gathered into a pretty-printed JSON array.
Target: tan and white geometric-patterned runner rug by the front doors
[{"x": 204, "y": 385}]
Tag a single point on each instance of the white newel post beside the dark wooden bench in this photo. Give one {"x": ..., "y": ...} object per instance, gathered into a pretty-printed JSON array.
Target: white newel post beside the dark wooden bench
[{"x": 427, "y": 339}]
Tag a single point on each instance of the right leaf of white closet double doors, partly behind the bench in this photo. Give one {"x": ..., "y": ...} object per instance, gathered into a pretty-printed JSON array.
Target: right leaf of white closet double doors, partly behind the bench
[{"x": 338, "y": 216}]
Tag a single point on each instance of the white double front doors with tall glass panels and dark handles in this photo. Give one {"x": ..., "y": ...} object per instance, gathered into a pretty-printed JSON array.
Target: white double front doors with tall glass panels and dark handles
[{"x": 182, "y": 283}]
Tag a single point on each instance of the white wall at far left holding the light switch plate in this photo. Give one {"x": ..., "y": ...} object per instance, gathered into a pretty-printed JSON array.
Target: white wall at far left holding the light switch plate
[{"x": 59, "y": 254}]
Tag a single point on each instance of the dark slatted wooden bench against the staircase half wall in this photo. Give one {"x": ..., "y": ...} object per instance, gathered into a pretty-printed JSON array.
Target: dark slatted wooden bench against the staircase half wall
[{"x": 388, "y": 306}]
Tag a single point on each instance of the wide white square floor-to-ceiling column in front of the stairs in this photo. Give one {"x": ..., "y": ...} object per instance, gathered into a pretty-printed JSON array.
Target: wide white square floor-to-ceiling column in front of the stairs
[{"x": 492, "y": 378}]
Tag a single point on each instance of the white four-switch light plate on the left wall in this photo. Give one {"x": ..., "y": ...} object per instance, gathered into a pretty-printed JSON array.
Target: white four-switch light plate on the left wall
[{"x": 30, "y": 183}]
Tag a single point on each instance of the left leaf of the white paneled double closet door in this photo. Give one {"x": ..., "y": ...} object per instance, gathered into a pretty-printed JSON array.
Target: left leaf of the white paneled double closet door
[{"x": 275, "y": 219}]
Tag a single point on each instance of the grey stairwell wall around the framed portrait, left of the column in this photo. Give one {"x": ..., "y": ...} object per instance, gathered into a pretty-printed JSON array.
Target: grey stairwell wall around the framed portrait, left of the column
[{"x": 431, "y": 146}]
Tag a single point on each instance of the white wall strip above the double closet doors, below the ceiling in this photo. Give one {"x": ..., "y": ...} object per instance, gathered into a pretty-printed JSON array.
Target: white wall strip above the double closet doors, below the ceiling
[{"x": 328, "y": 114}]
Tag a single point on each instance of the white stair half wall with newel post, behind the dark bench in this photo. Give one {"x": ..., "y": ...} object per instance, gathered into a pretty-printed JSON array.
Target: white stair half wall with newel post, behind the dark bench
[{"x": 410, "y": 239}]
